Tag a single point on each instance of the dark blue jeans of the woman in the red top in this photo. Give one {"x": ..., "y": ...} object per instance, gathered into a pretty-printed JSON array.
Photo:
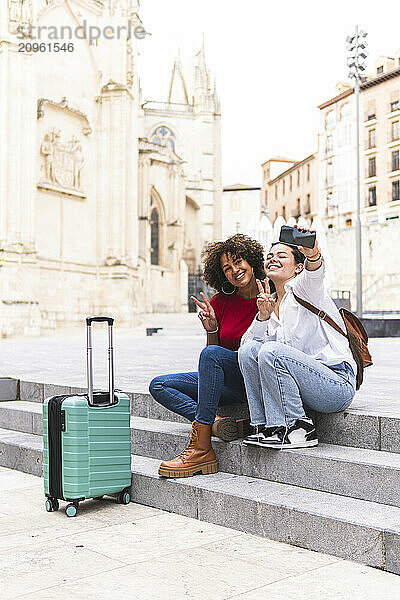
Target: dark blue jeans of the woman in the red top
[{"x": 196, "y": 395}]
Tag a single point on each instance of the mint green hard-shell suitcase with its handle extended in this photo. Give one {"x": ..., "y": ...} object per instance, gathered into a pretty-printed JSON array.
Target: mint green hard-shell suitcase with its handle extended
[{"x": 87, "y": 441}]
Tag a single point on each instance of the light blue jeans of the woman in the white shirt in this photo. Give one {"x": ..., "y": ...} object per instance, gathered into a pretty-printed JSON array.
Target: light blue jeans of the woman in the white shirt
[{"x": 279, "y": 379}]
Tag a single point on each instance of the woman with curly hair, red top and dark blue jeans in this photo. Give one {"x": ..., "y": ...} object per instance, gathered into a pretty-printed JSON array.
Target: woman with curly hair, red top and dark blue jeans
[{"x": 231, "y": 268}]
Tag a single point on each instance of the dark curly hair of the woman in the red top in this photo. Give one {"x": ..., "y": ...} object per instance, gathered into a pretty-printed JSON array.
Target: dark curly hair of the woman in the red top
[{"x": 236, "y": 246}]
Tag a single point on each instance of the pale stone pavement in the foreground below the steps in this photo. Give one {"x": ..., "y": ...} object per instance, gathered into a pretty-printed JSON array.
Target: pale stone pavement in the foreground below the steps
[{"x": 141, "y": 553}]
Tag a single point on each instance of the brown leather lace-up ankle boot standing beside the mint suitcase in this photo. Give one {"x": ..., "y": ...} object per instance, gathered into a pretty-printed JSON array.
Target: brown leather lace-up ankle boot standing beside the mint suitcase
[{"x": 197, "y": 457}]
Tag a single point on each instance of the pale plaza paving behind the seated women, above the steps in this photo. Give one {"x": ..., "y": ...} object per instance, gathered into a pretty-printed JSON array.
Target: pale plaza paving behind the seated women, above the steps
[{"x": 61, "y": 359}]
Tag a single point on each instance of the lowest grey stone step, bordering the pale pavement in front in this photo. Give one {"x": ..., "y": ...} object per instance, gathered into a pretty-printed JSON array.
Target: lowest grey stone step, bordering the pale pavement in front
[{"x": 354, "y": 529}]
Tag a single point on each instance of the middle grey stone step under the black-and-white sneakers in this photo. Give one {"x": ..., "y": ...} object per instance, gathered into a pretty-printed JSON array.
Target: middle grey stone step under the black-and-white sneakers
[{"x": 370, "y": 475}]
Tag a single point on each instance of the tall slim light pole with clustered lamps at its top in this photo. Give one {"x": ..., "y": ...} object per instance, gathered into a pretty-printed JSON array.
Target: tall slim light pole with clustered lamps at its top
[{"x": 356, "y": 47}]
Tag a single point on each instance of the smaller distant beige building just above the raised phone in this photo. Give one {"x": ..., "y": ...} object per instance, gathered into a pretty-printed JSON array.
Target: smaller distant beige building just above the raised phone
[{"x": 289, "y": 188}]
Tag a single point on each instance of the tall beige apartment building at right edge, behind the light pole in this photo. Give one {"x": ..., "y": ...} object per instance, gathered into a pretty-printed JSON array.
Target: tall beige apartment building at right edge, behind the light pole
[{"x": 380, "y": 176}]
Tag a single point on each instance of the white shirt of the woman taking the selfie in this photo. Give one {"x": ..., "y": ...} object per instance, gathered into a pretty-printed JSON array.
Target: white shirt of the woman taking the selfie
[{"x": 300, "y": 328}]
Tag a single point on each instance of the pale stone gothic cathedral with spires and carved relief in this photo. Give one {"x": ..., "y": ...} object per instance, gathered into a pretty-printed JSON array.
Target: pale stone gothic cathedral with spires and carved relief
[{"x": 106, "y": 199}]
